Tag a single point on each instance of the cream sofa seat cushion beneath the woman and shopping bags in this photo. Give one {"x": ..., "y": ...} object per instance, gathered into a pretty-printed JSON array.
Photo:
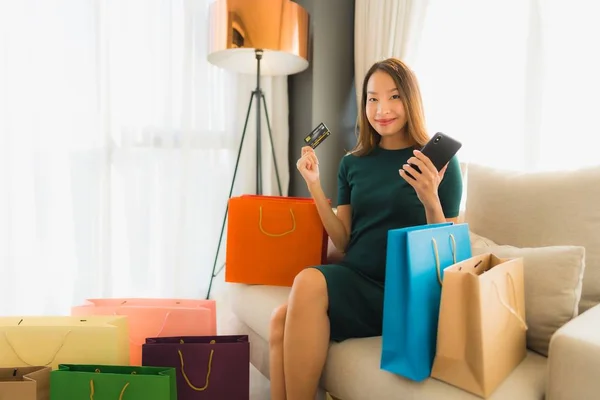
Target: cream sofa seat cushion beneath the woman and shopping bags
[{"x": 352, "y": 371}]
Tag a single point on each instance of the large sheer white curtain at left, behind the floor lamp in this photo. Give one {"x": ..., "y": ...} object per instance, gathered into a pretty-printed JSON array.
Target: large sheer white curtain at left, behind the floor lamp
[{"x": 117, "y": 146}]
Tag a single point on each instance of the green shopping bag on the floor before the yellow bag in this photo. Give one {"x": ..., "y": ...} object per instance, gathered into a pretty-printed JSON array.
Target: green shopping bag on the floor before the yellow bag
[{"x": 112, "y": 382}]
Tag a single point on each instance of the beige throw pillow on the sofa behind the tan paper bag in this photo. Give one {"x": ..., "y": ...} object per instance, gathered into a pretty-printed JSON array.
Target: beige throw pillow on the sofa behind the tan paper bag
[{"x": 553, "y": 279}]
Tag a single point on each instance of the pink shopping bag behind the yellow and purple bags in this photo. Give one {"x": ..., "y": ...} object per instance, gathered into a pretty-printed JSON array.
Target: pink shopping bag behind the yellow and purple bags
[{"x": 149, "y": 318}]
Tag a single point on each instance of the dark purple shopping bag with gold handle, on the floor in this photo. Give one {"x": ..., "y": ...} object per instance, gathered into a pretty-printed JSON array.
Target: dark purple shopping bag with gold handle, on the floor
[{"x": 208, "y": 367}]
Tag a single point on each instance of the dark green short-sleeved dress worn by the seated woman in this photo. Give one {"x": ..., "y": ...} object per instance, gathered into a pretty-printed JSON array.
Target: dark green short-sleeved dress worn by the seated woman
[{"x": 381, "y": 200}]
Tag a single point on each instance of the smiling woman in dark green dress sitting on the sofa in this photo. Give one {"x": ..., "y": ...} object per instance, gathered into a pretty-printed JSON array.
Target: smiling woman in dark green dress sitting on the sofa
[{"x": 375, "y": 194}]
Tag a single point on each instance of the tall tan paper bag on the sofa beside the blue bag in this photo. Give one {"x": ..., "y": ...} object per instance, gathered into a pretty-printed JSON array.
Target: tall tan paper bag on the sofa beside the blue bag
[{"x": 481, "y": 328}]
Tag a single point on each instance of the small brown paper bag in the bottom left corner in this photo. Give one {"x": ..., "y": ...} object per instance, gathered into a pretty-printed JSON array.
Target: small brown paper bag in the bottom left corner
[{"x": 25, "y": 383}]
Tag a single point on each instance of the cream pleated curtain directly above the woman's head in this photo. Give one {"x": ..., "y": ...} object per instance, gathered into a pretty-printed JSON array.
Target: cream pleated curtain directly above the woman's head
[{"x": 383, "y": 29}]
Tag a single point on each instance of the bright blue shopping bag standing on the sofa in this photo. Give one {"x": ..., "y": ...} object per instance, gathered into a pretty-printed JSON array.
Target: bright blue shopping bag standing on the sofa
[{"x": 416, "y": 258}]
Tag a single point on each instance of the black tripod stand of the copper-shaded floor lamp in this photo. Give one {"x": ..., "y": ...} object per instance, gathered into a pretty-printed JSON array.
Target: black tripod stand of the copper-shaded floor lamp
[{"x": 258, "y": 95}]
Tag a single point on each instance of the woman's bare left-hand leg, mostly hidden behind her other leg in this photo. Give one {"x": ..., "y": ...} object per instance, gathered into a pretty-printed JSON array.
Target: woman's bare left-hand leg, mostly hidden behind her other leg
[{"x": 276, "y": 353}]
